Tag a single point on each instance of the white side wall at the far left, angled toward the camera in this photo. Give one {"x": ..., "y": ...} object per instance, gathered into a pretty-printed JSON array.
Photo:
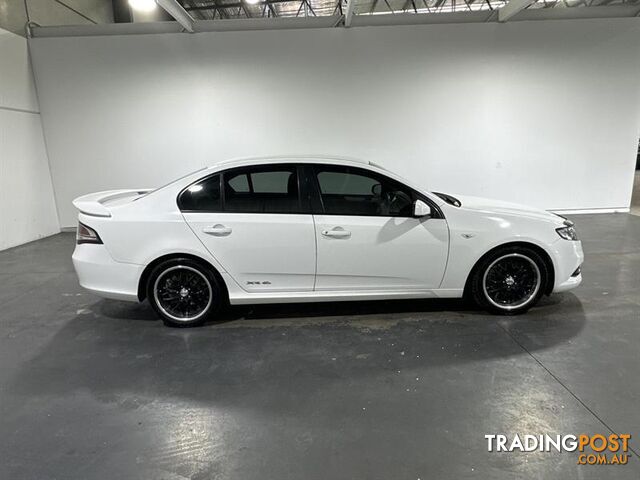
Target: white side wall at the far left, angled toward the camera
[{"x": 27, "y": 205}]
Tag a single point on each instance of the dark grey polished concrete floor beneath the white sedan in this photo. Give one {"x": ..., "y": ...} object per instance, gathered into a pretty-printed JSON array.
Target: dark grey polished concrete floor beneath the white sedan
[{"x": 91, "y": 388}]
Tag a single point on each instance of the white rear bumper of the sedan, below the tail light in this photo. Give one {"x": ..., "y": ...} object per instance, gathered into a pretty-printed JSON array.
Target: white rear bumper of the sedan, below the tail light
[{"x": 99, "y": 273}]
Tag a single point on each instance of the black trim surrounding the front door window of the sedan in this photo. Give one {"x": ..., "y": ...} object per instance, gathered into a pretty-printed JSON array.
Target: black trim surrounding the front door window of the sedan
[{"x": 319, "y": 206}]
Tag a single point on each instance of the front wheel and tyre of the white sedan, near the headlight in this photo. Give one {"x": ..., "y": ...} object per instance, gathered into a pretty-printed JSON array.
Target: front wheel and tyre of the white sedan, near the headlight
[{"x": 509, "y": 280}]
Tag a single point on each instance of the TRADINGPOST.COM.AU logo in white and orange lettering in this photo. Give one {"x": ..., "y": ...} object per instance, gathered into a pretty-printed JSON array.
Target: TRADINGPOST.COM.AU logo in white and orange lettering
[{"x": 591, "y": 449}]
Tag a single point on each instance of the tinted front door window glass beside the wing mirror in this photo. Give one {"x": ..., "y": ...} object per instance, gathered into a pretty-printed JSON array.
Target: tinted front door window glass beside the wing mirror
[{"x": 354, "y": 191}]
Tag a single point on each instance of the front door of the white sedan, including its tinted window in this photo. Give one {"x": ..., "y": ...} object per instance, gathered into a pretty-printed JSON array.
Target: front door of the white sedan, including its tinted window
[{"x": 367, "y": 237}]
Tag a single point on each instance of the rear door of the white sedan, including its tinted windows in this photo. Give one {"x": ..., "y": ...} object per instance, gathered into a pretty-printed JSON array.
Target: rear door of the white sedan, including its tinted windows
[{"x": 256, "y": 224}]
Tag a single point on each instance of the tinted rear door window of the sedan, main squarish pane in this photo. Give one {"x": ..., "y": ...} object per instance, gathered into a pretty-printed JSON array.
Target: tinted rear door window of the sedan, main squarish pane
[{"x": 272, "y": 189}]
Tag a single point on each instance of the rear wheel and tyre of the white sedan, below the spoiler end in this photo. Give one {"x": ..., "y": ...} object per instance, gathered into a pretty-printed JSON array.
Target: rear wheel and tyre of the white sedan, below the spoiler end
[{"x": 184, "y": 293}]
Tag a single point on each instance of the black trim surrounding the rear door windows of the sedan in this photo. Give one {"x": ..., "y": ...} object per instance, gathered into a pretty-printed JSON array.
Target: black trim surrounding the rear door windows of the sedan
[{"x": 304, "y": 207}]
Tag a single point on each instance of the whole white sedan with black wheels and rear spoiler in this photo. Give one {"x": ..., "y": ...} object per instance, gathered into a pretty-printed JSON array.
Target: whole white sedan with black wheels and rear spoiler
[{"x": 301, "y": 229}]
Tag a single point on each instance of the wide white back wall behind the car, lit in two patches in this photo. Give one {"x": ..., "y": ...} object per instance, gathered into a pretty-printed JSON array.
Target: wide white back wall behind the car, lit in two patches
[{"x": 545, "y": 113}]
